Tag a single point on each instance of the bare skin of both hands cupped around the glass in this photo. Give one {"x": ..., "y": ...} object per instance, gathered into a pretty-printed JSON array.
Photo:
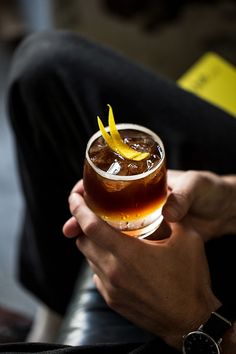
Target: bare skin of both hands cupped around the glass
[{"x": 198, "y": 206}]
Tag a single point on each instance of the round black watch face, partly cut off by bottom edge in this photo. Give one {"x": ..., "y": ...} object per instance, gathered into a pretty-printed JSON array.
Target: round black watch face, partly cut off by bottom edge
[{"x": 199, "y": 343}]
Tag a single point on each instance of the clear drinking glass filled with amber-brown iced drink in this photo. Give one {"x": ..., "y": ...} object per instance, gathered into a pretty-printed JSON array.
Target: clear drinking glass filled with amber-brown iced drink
[{"x": 127, "y": 194}]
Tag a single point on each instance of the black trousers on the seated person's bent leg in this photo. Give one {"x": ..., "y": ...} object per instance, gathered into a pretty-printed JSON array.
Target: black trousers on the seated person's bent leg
[{"x": 59, "y": 83}]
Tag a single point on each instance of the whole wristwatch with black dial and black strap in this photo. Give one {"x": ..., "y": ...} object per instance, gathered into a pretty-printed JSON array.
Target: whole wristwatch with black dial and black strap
[{"x": 207, "y": 339}]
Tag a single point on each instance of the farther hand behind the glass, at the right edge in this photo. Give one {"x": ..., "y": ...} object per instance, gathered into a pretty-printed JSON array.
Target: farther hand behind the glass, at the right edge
[{"x": 203, "y": 200}]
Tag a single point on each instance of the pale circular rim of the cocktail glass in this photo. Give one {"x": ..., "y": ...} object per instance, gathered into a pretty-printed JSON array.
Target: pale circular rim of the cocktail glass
[{"x": 123, "y": 126}]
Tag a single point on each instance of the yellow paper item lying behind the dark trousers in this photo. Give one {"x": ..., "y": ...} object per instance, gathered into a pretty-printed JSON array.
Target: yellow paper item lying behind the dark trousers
[{"x": 213, "y": 79}]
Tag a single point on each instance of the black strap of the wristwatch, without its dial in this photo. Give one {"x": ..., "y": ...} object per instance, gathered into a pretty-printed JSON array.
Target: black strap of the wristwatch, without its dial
[{"x": 217, "y": 324}]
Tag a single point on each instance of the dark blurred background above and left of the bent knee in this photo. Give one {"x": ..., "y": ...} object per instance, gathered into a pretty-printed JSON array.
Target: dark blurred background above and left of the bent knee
[{"x": 168, "y": 38}]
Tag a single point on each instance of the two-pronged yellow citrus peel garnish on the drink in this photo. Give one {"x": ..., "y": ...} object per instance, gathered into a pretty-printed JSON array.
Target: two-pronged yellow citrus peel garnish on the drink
[{"x": 115, "y": 142}]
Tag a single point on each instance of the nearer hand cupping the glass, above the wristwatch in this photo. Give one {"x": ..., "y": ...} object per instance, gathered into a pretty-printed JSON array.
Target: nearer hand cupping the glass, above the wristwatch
[{"x": 162, "y": 286}]
